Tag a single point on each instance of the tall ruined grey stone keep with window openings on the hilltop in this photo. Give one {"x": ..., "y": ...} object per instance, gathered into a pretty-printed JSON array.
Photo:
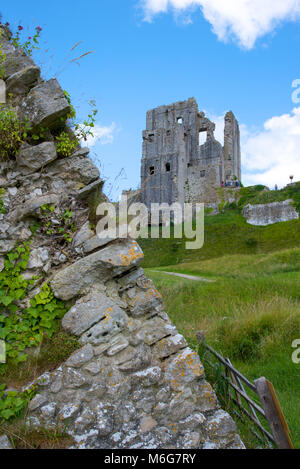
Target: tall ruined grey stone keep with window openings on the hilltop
[{"x": 176, "y": 165}]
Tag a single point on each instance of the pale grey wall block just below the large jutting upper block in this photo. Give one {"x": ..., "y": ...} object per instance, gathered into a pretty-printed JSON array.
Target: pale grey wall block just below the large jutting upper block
[{"x": 32, "y": 158}]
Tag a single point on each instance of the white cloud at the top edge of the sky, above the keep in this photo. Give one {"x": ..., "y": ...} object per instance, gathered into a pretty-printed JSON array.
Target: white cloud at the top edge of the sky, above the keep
[{"x": 242, "y": 20}]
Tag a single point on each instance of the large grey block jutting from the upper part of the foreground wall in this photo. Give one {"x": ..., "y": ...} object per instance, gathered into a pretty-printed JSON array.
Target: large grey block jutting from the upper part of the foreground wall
[{"x": 45, "y": 105}]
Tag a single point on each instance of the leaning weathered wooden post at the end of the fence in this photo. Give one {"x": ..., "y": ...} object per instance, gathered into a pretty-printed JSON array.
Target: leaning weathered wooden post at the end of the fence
[{"x": 273, "y": 412}]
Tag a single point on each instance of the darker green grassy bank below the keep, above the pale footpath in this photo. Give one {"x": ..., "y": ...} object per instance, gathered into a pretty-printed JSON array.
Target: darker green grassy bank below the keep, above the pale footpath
[{"x": 226, "y": 233}]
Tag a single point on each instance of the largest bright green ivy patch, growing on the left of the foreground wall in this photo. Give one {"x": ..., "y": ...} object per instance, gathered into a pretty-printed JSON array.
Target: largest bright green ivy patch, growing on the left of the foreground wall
[{"x": 24, "y": 329}]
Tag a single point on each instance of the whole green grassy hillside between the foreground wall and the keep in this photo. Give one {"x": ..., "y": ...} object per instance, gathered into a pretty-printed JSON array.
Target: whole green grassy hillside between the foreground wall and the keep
[{"x": 251, "y": 312}]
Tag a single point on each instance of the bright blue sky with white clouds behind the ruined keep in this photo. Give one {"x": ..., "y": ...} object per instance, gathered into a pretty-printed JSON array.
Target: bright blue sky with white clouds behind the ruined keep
[{"x": 146, "y": 53}]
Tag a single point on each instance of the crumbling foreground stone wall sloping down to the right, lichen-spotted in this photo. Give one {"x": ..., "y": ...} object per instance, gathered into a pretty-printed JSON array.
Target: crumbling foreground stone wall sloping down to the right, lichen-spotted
[{"x": 135, "y": 382}]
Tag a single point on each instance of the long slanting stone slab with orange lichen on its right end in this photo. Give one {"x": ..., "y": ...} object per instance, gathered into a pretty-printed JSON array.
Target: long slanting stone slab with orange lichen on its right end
[{"x": 99, "y": 266}]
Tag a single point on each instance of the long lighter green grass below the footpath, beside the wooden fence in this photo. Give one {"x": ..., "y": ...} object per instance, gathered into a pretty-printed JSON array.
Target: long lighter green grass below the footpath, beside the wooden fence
[{"x": 251, "y": 313}]
